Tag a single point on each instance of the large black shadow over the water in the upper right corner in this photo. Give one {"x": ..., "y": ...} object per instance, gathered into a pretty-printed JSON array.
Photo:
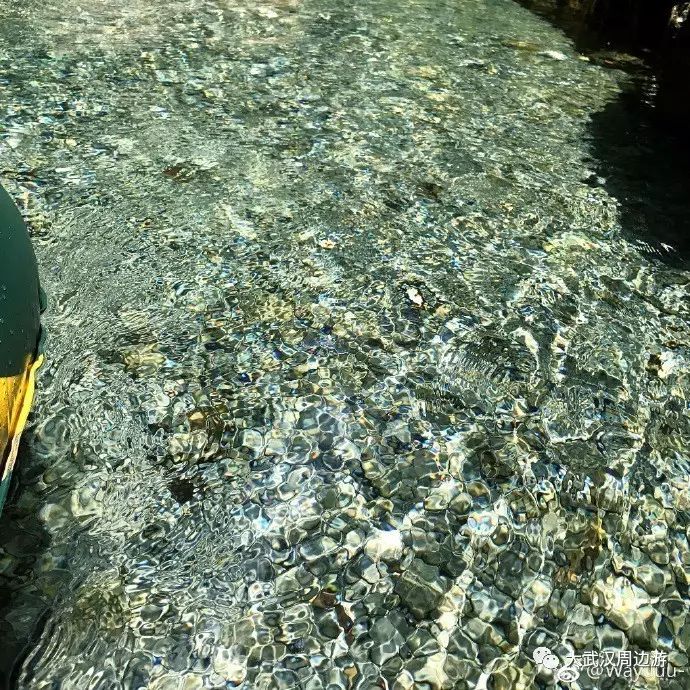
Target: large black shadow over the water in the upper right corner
[{"x": 639, "y": 143}]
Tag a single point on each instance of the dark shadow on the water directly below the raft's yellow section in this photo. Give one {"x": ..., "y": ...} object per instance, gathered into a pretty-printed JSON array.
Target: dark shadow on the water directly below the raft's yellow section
[{"x": 23, "y": 542}]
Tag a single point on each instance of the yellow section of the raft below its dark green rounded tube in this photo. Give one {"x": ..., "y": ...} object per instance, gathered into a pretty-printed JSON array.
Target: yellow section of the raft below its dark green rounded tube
[{"x": 16, "y": 396}]
